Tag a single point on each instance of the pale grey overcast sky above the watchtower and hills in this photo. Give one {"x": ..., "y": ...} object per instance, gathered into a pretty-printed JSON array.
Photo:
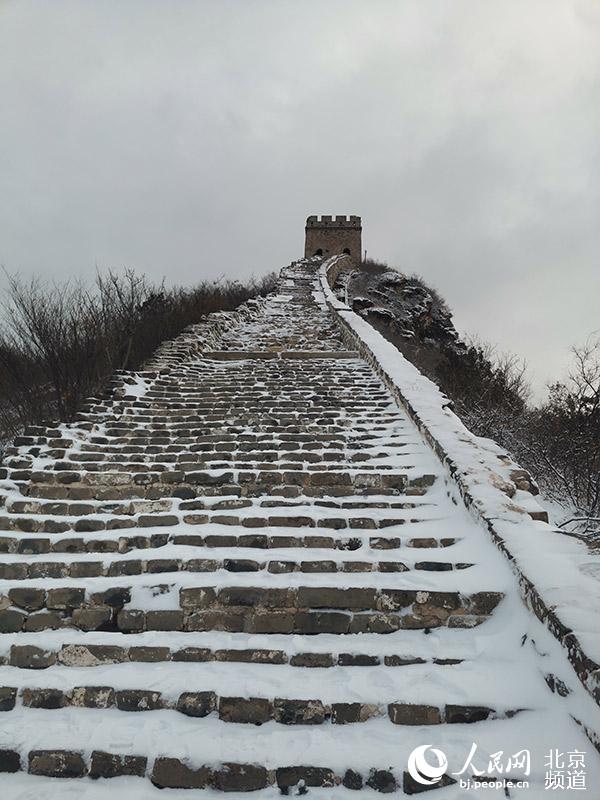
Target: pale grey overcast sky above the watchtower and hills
[{"x": 191, "y": 138}]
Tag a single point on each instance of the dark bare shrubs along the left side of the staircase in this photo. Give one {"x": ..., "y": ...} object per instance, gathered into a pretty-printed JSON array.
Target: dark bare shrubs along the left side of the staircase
[{"x": 60, "y": 343}]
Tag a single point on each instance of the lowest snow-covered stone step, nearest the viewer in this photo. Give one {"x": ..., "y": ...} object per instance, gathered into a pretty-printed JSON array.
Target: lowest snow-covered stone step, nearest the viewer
[{"x": 168, "y": 750}]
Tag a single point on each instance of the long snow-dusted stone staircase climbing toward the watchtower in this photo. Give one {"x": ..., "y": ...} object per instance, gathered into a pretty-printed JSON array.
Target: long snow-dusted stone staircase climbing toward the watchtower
[{"x": 243, "y": 569}]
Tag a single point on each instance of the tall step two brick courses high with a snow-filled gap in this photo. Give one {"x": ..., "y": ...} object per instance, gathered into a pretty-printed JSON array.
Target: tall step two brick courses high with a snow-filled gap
[{"x": 254, "y": 609}]
